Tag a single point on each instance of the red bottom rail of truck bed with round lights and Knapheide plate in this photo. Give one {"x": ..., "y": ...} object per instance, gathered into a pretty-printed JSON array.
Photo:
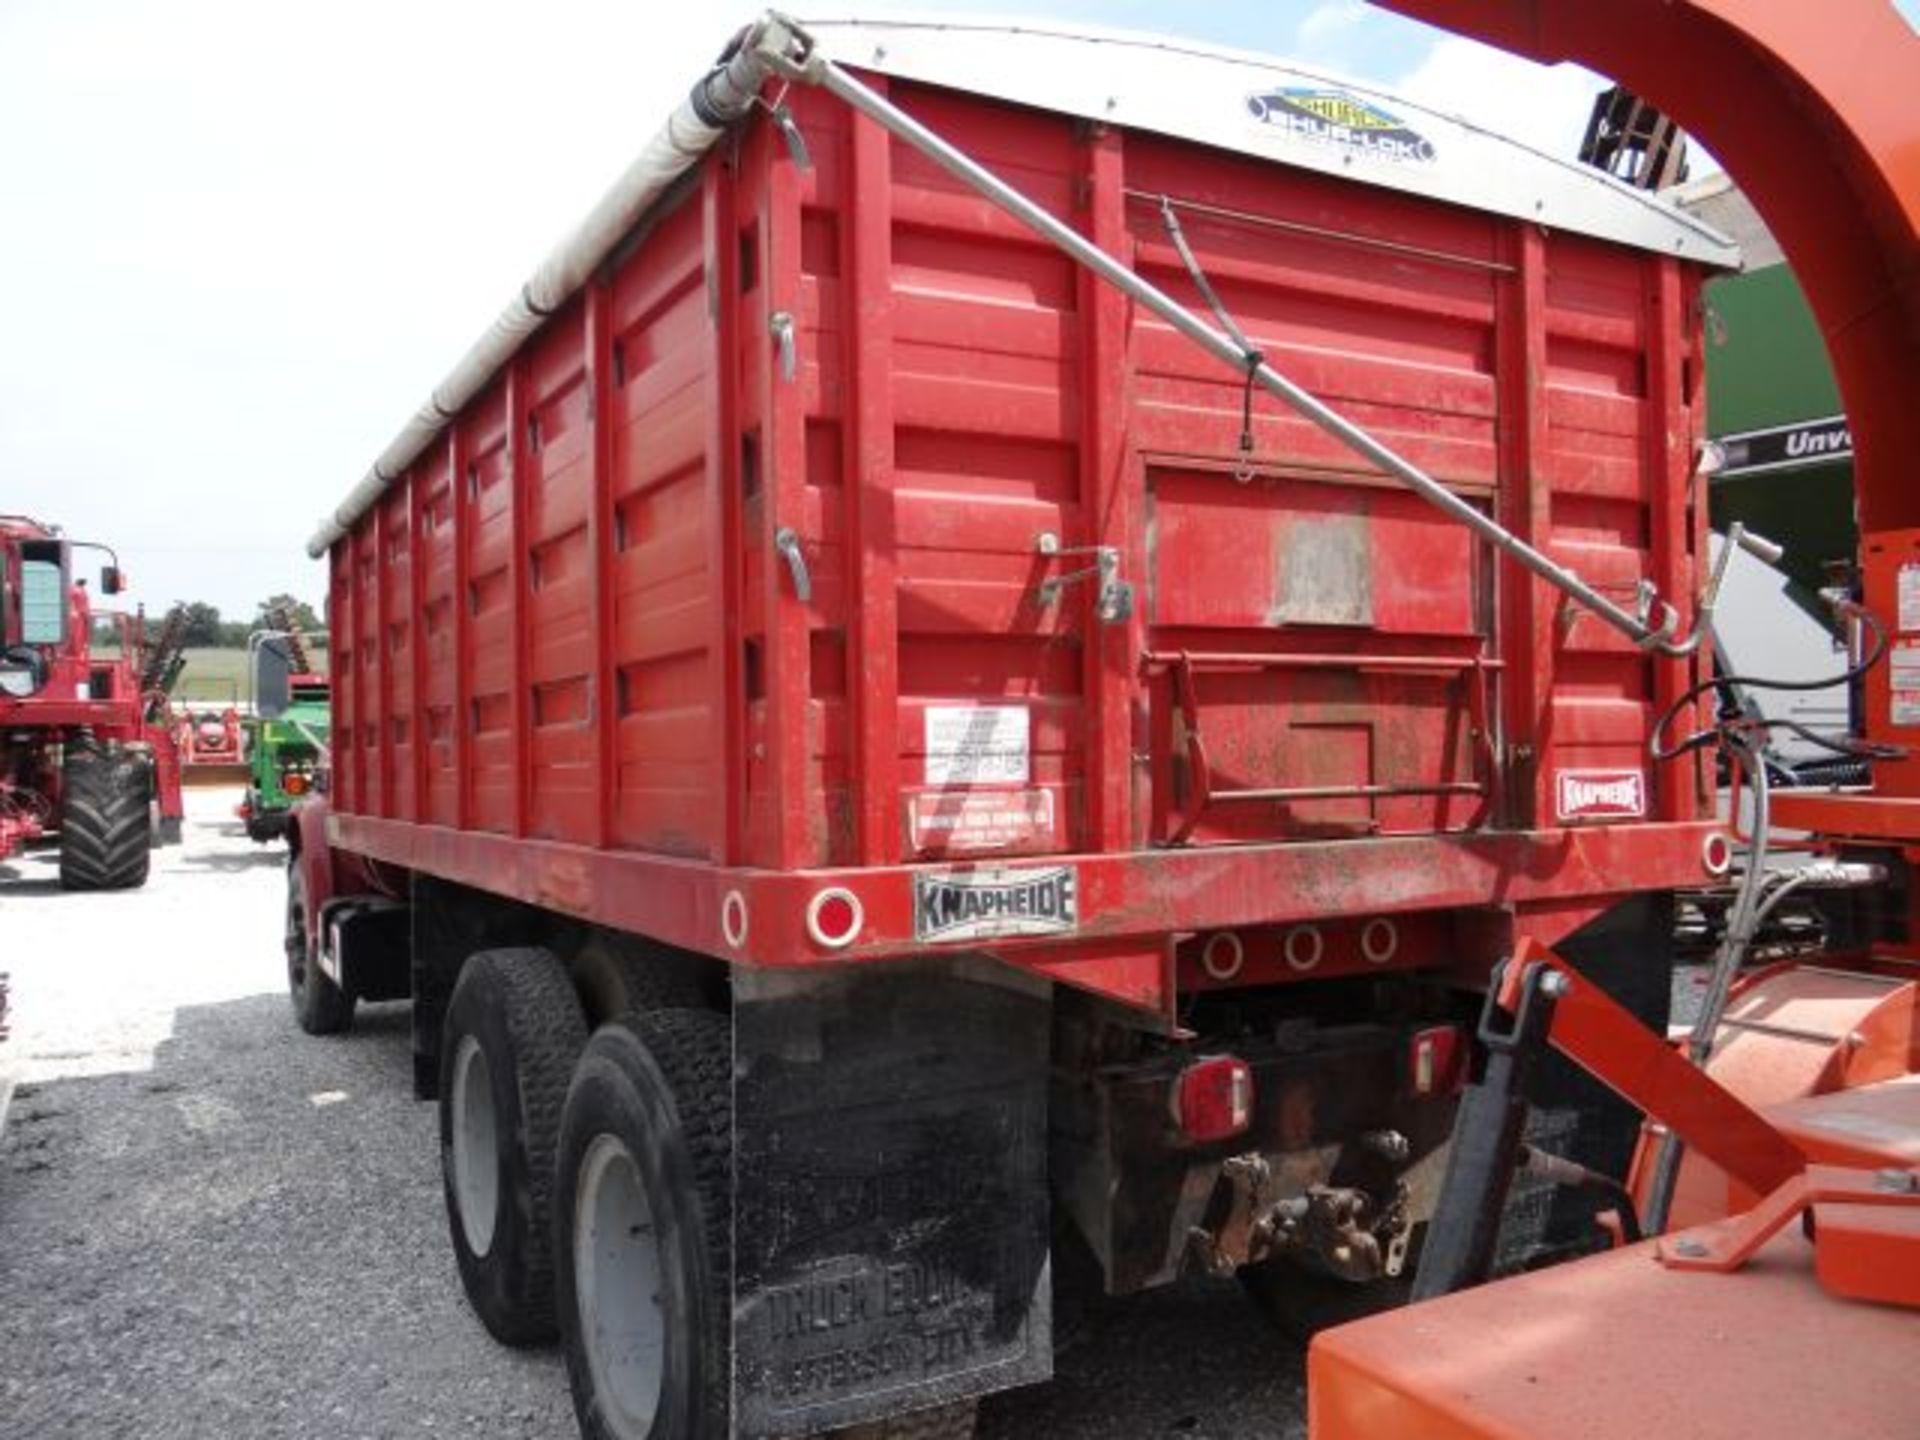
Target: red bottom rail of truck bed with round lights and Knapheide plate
[{"x": 1126, "y": 909}]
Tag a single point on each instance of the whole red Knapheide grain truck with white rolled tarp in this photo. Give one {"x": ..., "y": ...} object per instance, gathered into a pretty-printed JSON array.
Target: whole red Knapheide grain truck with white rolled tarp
[{"x": 890, "y": 773}]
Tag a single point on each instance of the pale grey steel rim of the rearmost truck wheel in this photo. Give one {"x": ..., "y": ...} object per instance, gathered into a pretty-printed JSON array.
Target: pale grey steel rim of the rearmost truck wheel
[{"x": 619, "y": 1284}]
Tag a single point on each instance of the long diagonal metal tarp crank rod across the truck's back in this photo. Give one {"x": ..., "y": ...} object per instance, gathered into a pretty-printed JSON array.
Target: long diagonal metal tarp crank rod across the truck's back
[{"x": 792, "y": 53}]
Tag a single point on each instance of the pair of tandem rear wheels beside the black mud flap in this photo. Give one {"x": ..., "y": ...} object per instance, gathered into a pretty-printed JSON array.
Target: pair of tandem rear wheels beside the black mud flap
[{"x": 588, "y": 1184}]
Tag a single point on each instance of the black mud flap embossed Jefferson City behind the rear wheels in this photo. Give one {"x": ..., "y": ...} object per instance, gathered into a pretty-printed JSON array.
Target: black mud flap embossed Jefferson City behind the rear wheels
[{"x": 890, "y": 1216}]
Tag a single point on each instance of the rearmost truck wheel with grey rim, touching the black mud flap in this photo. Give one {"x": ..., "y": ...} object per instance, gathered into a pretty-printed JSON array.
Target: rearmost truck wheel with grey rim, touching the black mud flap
[{"x": 644, "y": 1228}]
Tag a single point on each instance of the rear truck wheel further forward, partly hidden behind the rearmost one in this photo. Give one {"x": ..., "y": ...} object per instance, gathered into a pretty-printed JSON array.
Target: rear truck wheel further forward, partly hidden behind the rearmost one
[{"x": 512, "y": 1036}]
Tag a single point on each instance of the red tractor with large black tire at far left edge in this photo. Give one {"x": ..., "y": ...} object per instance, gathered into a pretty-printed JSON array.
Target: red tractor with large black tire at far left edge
[{"x": 87, "y": 750}]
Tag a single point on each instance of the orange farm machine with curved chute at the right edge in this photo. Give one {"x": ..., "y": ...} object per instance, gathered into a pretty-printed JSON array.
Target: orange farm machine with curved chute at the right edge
[{"x": 1787, "y": 1299}]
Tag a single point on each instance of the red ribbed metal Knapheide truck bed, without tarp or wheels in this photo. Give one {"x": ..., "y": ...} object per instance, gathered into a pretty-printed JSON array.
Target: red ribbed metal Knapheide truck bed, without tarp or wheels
[{"x": 577, "y": 663}]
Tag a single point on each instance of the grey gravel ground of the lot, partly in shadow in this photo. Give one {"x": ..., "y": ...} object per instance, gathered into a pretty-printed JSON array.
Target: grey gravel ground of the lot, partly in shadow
[{"x": 212, "y": 1224}]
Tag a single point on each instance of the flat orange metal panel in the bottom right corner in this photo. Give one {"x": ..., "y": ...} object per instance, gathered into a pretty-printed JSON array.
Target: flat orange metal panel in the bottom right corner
[{"x": 1620, "y": 1349}]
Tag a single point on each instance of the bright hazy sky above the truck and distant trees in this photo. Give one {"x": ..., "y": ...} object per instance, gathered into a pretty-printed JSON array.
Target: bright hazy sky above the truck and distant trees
[{"x": 243, "y": 241}]
